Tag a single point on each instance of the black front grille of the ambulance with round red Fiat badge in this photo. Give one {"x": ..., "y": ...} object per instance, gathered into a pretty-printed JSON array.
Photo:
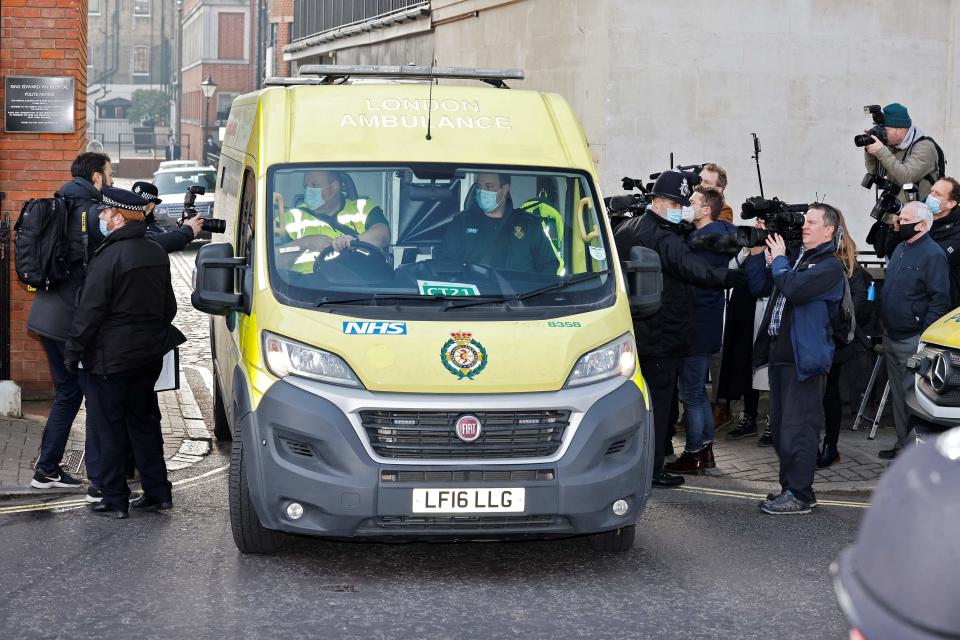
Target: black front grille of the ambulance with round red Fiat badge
[{"x": 430, "y": 435}]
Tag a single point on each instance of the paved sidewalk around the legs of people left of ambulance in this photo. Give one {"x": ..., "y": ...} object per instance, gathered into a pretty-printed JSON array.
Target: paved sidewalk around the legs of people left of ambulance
[{"x": 185, "y": 441}]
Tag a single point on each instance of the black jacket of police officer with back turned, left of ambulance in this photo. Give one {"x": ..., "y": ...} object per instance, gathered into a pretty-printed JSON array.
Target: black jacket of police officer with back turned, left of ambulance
[{"x": 123, "y": 319}]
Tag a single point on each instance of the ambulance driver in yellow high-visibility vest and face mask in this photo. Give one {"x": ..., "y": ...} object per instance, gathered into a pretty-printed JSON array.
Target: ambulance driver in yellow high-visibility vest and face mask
[{"x": 328, "y": 217}]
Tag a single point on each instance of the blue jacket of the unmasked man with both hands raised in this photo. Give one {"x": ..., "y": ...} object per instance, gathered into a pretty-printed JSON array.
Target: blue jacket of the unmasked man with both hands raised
[{"x": 813, "y": 294}]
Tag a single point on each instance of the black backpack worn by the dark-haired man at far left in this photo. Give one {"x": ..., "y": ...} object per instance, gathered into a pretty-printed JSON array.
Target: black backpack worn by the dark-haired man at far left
[{"x": 42, "y": 244}]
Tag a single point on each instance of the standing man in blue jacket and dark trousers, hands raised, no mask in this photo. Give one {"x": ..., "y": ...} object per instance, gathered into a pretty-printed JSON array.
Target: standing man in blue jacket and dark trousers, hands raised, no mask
[{"x": 796, "y": 342}]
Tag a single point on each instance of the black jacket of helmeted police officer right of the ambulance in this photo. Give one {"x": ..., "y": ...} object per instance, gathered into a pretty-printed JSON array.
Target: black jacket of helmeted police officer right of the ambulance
[{"x": 672, "y": 330}]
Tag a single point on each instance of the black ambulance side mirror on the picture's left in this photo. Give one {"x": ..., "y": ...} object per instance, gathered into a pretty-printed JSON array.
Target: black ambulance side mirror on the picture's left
[{"x": 214, "y": 291}]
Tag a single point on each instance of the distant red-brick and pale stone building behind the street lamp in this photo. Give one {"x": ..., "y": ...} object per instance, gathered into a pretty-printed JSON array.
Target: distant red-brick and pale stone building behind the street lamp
[{"x": 219, "y": 41}]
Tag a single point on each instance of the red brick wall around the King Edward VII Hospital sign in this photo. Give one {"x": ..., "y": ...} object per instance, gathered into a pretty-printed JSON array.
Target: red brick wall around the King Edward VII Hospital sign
[{"x": 36, "y": 164}]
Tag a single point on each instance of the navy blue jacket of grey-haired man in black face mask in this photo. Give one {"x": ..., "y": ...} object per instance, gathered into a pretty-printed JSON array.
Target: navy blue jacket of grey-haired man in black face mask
[{"x": 916, "y": 289}]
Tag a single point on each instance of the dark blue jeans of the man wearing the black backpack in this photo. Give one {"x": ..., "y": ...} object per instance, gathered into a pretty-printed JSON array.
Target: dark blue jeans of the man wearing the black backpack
[{"x": 67, "y": 396}]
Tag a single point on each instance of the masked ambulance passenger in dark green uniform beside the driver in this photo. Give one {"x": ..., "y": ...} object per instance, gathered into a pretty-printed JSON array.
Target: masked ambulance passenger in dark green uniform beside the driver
[{"x": 491, "y": 232}]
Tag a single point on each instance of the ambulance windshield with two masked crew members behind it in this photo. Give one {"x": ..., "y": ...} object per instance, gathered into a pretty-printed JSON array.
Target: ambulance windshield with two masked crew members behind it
[{"x": 436, "y": 237}]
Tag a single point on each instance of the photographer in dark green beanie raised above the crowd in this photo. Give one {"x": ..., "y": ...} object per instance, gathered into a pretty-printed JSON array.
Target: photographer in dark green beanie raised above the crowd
[{"x": 907, "y": 155}]
